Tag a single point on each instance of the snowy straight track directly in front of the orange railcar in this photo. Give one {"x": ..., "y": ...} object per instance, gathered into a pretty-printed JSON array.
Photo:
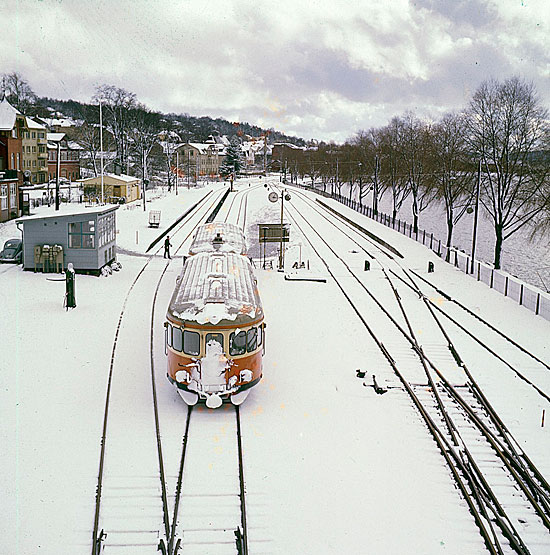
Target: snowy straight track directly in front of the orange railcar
[{"x": 209, "y": 505}]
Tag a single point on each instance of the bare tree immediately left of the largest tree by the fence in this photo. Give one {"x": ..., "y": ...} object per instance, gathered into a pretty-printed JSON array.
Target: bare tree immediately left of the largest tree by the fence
[{"x": 454, "y": 178}]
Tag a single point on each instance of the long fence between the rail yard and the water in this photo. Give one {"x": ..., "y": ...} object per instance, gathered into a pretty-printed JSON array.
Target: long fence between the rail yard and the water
[{"x": 526, "y": 295}]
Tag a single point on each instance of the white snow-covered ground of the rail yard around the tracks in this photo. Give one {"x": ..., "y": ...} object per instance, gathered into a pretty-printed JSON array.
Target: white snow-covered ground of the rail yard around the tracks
[{"x": 330, "y": 466}]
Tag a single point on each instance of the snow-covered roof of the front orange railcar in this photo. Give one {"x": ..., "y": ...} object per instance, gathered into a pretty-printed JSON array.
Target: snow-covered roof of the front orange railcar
[{"x": 214, "y": 287}]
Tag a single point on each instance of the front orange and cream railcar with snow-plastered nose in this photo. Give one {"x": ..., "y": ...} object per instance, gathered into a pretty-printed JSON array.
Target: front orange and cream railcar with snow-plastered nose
[{"x": 214, "y": 329}]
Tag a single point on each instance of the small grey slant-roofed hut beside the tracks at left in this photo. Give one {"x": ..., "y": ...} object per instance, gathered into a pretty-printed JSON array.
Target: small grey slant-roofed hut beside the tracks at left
[{"x": 87, "y": 238}]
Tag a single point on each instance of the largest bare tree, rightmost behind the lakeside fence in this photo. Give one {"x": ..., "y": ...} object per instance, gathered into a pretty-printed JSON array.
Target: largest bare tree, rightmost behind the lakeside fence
[{"x": 507, "y": 125}]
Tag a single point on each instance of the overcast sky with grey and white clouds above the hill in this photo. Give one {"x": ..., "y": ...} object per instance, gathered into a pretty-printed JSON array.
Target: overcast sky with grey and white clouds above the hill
[{"x": 319, "y": 69}]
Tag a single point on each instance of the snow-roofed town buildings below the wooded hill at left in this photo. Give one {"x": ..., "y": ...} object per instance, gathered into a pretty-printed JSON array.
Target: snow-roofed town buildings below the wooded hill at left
[{"x": 30, "y": 148}]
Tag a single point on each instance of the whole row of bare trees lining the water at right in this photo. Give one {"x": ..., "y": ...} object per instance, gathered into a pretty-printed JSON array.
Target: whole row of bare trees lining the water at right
[{"x": 497, "y": 150}]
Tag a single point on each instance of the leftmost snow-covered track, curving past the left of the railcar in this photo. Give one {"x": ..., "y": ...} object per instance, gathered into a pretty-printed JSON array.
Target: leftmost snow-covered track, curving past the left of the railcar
[{"x": 130, "y": 506}]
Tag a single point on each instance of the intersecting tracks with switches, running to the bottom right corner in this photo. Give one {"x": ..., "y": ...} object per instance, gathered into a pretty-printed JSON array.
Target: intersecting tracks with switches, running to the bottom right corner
[{"x": 505, "y": 493}]
